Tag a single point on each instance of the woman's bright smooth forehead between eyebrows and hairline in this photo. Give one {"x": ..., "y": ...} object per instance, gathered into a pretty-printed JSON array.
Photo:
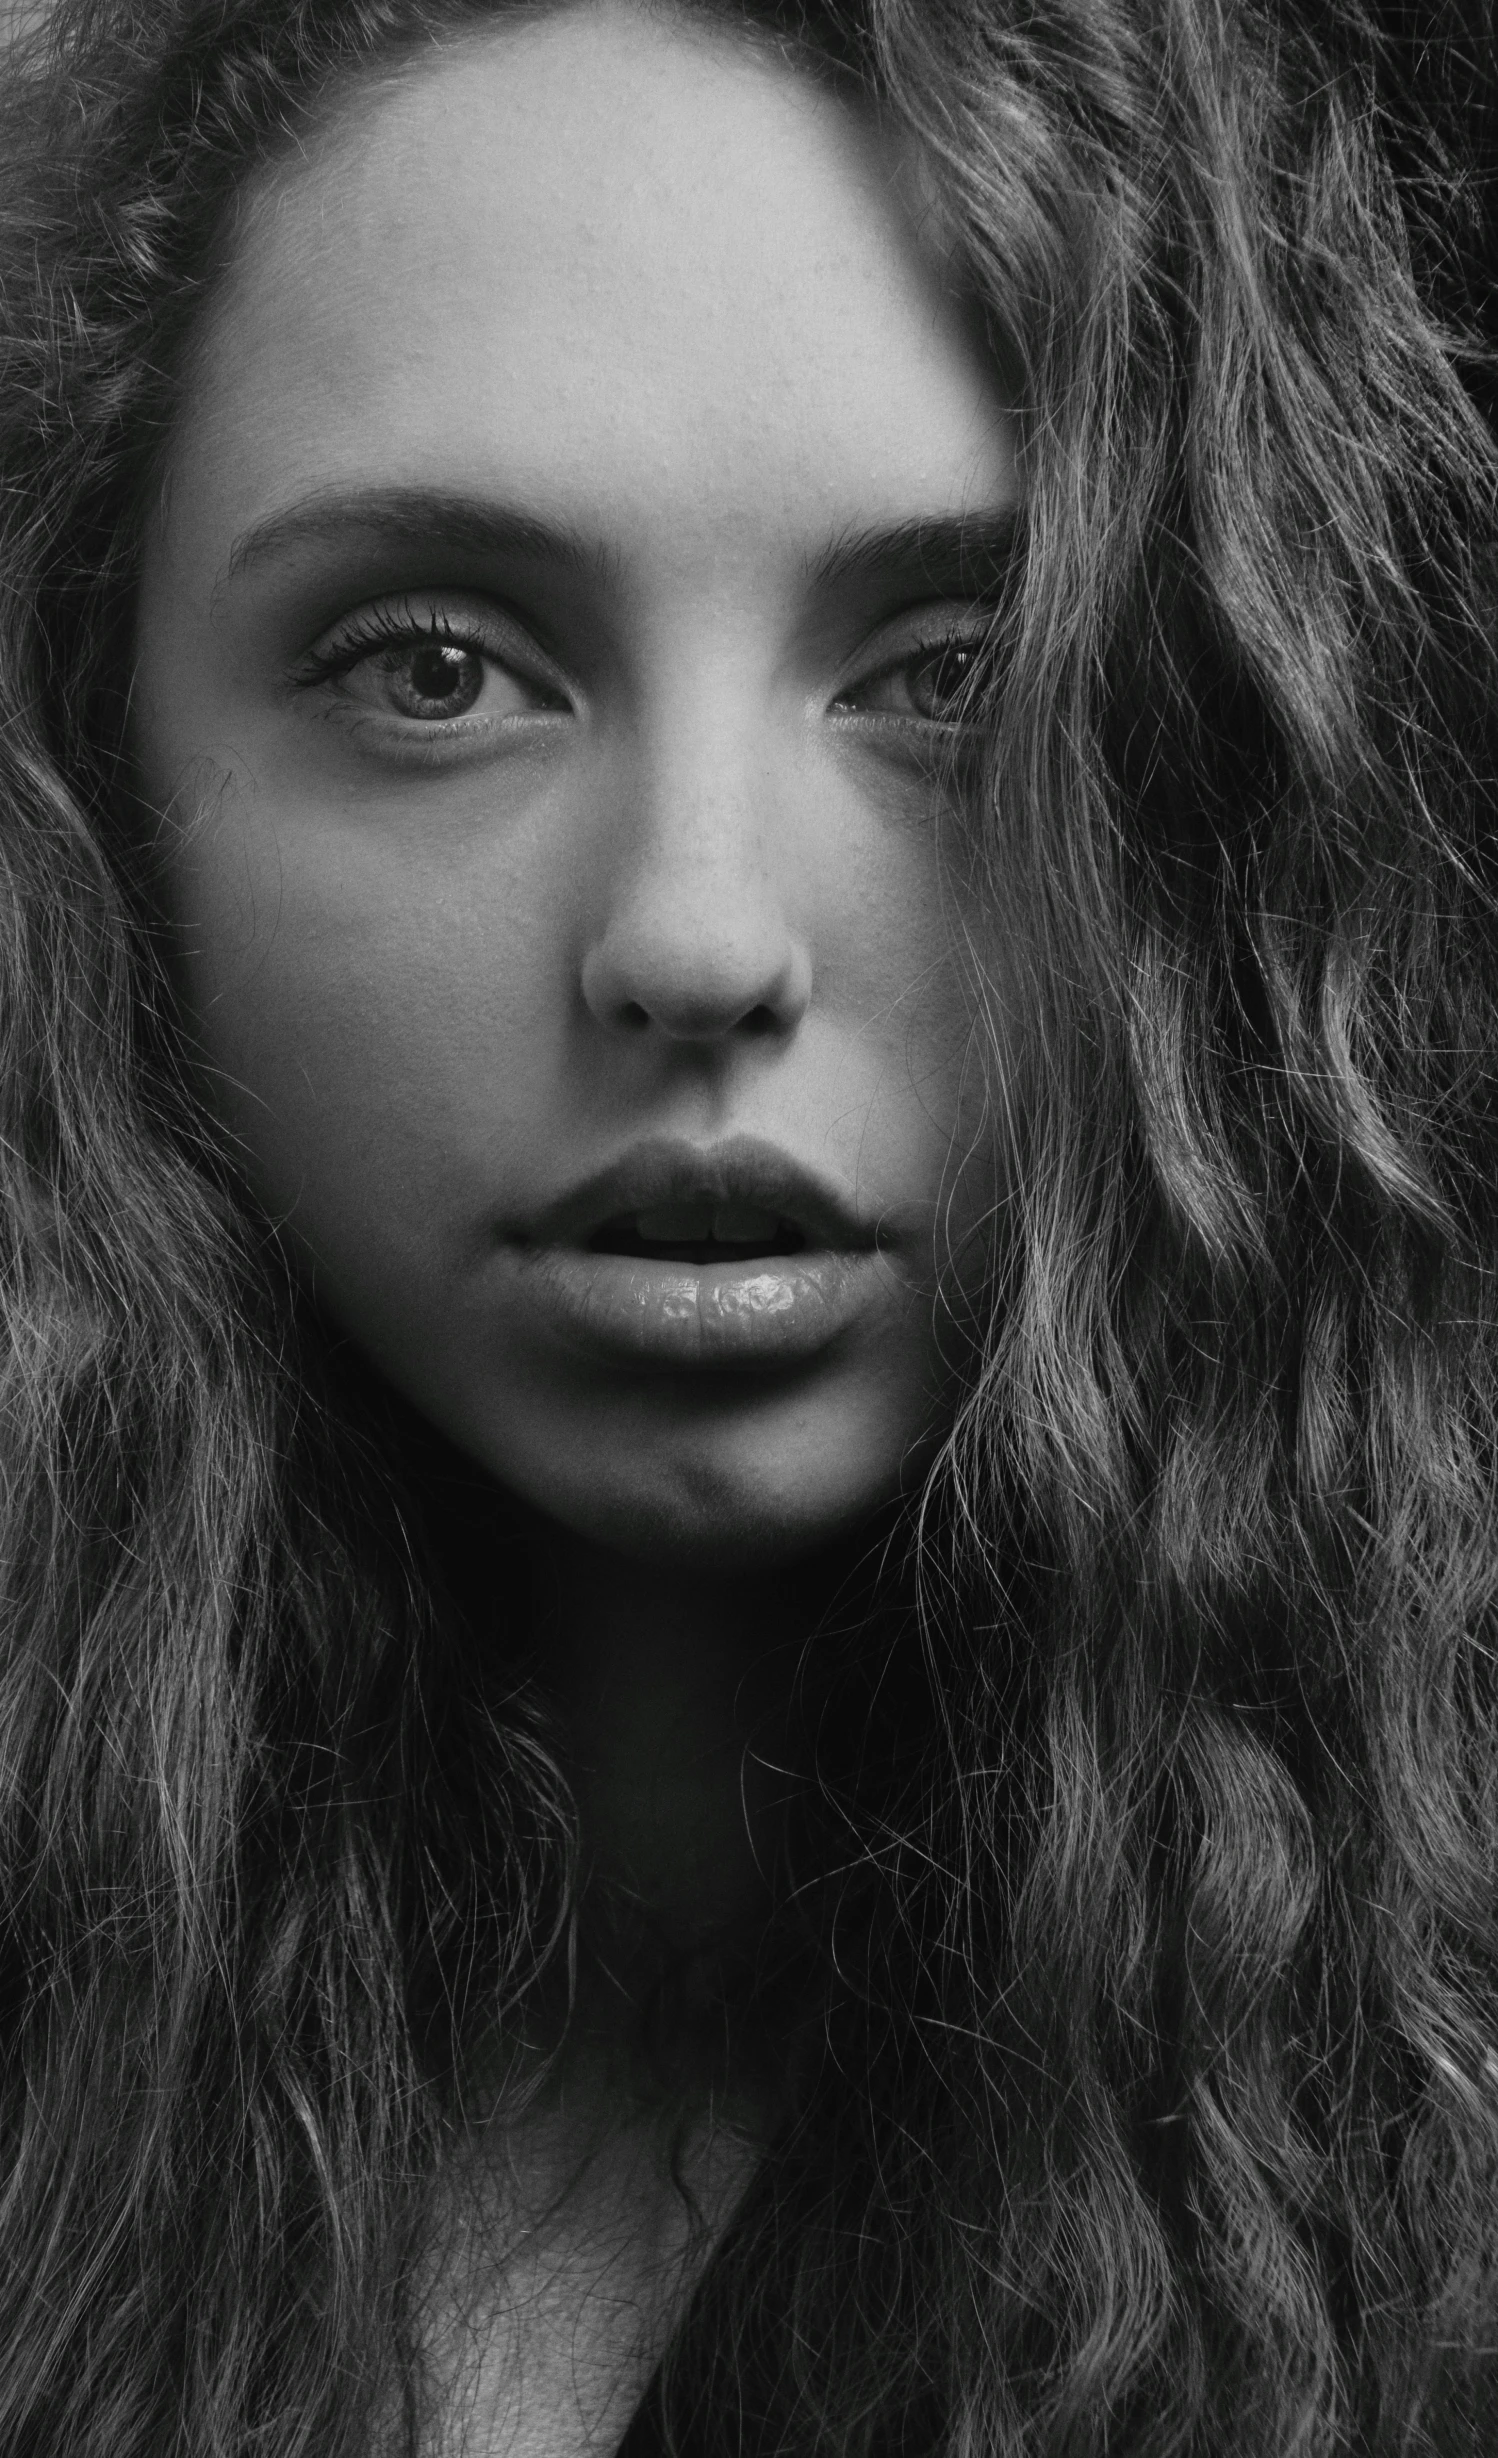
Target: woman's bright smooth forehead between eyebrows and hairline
[{"x": 594, "y": 259}]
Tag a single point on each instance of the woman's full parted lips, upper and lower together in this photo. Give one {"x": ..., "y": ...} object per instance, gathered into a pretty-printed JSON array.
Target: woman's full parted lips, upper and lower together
[{"x": 764, "y": 1314}]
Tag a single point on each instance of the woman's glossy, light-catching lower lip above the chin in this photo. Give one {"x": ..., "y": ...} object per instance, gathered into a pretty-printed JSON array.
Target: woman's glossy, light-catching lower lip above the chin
[{"x": 764, "y": 1314}]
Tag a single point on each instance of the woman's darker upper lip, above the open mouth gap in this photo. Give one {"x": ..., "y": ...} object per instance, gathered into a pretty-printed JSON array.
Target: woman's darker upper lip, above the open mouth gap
[{"x": 680, "y": 1174}]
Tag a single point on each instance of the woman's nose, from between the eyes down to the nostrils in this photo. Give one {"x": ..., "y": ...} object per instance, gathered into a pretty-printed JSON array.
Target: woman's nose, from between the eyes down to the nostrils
[{"x": 697, "y": 940}]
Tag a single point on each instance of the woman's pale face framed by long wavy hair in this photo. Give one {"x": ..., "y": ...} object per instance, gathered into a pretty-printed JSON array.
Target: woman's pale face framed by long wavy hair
[{"x": 584, "y": 512}]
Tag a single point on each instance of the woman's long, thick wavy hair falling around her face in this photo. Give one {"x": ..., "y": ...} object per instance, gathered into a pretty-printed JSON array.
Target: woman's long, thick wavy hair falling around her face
[{"x": 1152, "y": 2083}]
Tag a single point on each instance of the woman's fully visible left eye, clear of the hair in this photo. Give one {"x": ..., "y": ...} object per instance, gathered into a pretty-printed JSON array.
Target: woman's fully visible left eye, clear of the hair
[{"x": 434, "y": 667}]
